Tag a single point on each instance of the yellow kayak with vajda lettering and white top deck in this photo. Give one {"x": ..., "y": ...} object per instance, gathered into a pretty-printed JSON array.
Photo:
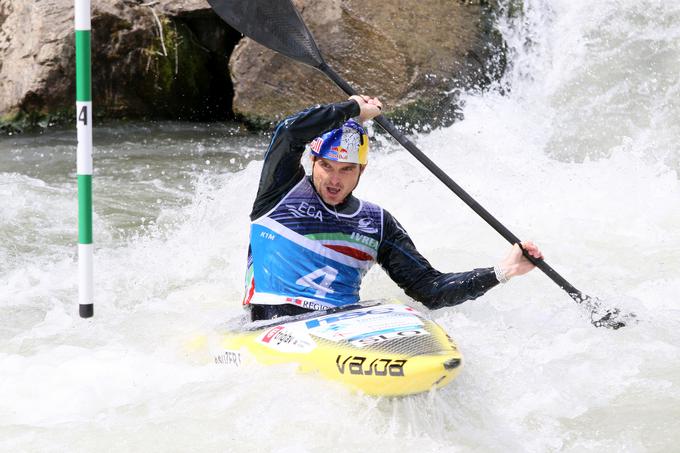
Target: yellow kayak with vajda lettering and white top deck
[{"x": 385, "y": 349}]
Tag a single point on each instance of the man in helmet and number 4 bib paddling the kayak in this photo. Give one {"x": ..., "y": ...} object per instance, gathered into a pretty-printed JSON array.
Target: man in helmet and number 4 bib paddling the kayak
[{"x": 312, "y": 241}]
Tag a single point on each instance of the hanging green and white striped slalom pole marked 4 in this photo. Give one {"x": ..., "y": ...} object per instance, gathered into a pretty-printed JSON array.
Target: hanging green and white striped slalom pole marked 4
[{"x": 84, "y": 158}]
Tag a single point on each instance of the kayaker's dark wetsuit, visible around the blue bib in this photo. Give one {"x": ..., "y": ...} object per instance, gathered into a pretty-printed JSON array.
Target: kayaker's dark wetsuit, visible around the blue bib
[{"x": 396, "y": 252}]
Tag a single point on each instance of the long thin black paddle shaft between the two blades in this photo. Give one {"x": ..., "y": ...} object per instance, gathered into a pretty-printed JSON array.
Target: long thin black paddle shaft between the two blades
[{"x": 451, "y": 184}]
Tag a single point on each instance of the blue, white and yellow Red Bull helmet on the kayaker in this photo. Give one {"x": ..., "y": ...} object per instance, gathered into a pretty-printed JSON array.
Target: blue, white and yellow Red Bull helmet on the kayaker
[{"x": 348, "y": 143}]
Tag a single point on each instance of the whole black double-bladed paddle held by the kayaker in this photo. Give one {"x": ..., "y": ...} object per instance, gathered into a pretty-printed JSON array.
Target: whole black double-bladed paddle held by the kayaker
[{"x": 276, "y": 24}]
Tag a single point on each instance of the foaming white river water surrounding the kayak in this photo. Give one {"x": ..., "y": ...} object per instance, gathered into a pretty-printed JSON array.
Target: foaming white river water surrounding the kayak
[{"x": 580, "y": 155}]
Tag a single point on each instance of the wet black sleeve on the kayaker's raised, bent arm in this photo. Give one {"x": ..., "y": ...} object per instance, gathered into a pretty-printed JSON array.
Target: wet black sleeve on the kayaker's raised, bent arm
[{"x": 282, "y": 168}]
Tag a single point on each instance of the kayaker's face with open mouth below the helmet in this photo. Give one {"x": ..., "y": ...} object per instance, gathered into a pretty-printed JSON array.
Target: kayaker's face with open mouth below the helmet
[{"x": 334, "y": 180}]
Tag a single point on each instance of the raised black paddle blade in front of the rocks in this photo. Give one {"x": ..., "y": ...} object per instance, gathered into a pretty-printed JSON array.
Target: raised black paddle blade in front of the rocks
[{"x": 275, "y": 24}]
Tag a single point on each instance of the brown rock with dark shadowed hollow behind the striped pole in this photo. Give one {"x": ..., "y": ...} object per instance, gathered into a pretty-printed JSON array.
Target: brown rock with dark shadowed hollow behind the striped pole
[{"x": 148, "y": 60}]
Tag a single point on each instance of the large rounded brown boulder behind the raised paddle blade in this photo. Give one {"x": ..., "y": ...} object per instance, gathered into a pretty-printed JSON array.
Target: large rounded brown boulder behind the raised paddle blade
[{"x": 412, "y": 55}]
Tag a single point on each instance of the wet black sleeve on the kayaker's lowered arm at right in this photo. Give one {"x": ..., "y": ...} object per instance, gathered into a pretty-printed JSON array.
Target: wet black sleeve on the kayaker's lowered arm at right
[{"x": 413, "y": 273}]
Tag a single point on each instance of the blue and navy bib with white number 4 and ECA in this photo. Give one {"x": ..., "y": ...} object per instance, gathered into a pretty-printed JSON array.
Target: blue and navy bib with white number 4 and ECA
[{"x": 305, "y": 254}]
